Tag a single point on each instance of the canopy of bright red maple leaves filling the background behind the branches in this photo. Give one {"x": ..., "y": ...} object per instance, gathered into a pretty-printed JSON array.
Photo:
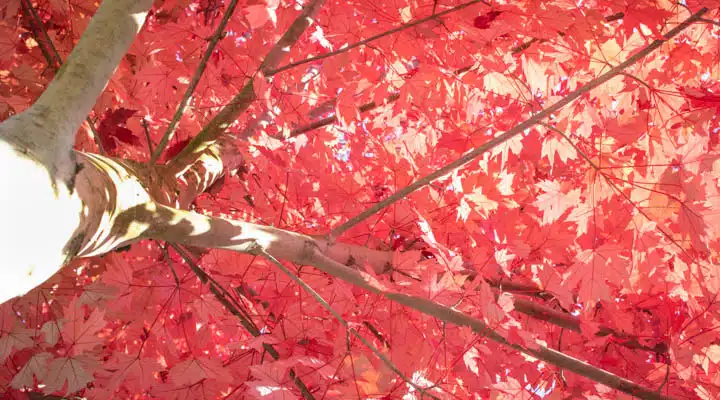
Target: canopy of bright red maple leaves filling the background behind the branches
[{"x": 605, "y": 212}]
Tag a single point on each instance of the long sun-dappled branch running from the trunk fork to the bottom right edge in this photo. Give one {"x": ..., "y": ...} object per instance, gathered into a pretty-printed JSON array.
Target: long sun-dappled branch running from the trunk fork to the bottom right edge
[{"x": 194, "y": 229}]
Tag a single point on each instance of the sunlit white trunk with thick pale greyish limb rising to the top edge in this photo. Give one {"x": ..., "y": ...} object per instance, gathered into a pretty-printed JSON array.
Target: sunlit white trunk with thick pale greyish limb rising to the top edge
[{"x": 44, "y": 219}]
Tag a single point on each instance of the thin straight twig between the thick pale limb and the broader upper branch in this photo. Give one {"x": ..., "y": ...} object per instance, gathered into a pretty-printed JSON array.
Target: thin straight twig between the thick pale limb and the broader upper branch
[{"x": 212, "y": 43}]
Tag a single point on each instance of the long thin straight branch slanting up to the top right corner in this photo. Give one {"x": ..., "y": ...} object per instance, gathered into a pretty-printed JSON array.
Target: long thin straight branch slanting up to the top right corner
[{"x": 496, "y": 141}]
